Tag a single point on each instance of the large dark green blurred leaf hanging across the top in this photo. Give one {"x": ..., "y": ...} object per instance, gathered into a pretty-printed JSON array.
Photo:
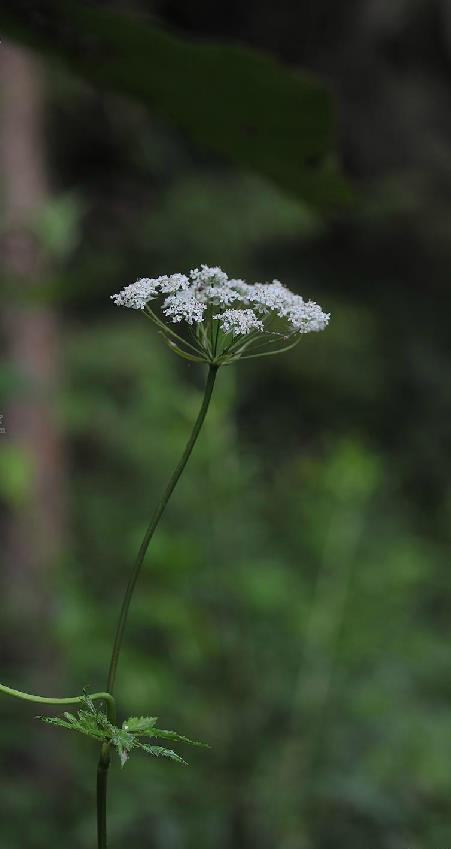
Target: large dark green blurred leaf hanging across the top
[{"x": 239, "y": 102}]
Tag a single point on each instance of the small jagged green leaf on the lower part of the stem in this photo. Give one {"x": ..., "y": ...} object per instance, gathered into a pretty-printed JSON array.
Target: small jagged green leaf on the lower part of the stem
[{"x": 93, "y": 722}]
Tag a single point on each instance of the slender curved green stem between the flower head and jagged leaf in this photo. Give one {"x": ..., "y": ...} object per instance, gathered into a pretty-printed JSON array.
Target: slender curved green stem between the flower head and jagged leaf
[{"x": 153, "y": 525}]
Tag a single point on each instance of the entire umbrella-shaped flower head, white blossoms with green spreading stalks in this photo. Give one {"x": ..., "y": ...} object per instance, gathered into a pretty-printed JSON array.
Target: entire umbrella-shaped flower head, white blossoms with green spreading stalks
[{"x": 207, "y": 317}]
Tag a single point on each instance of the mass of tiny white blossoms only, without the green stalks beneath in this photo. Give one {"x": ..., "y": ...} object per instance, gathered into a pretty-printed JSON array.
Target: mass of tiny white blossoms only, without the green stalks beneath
[{"x": 255, "y": 305}]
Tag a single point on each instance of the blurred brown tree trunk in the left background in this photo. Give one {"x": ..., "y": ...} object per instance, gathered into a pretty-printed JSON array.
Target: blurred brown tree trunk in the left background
[{"x": 34, "y": 521}]
